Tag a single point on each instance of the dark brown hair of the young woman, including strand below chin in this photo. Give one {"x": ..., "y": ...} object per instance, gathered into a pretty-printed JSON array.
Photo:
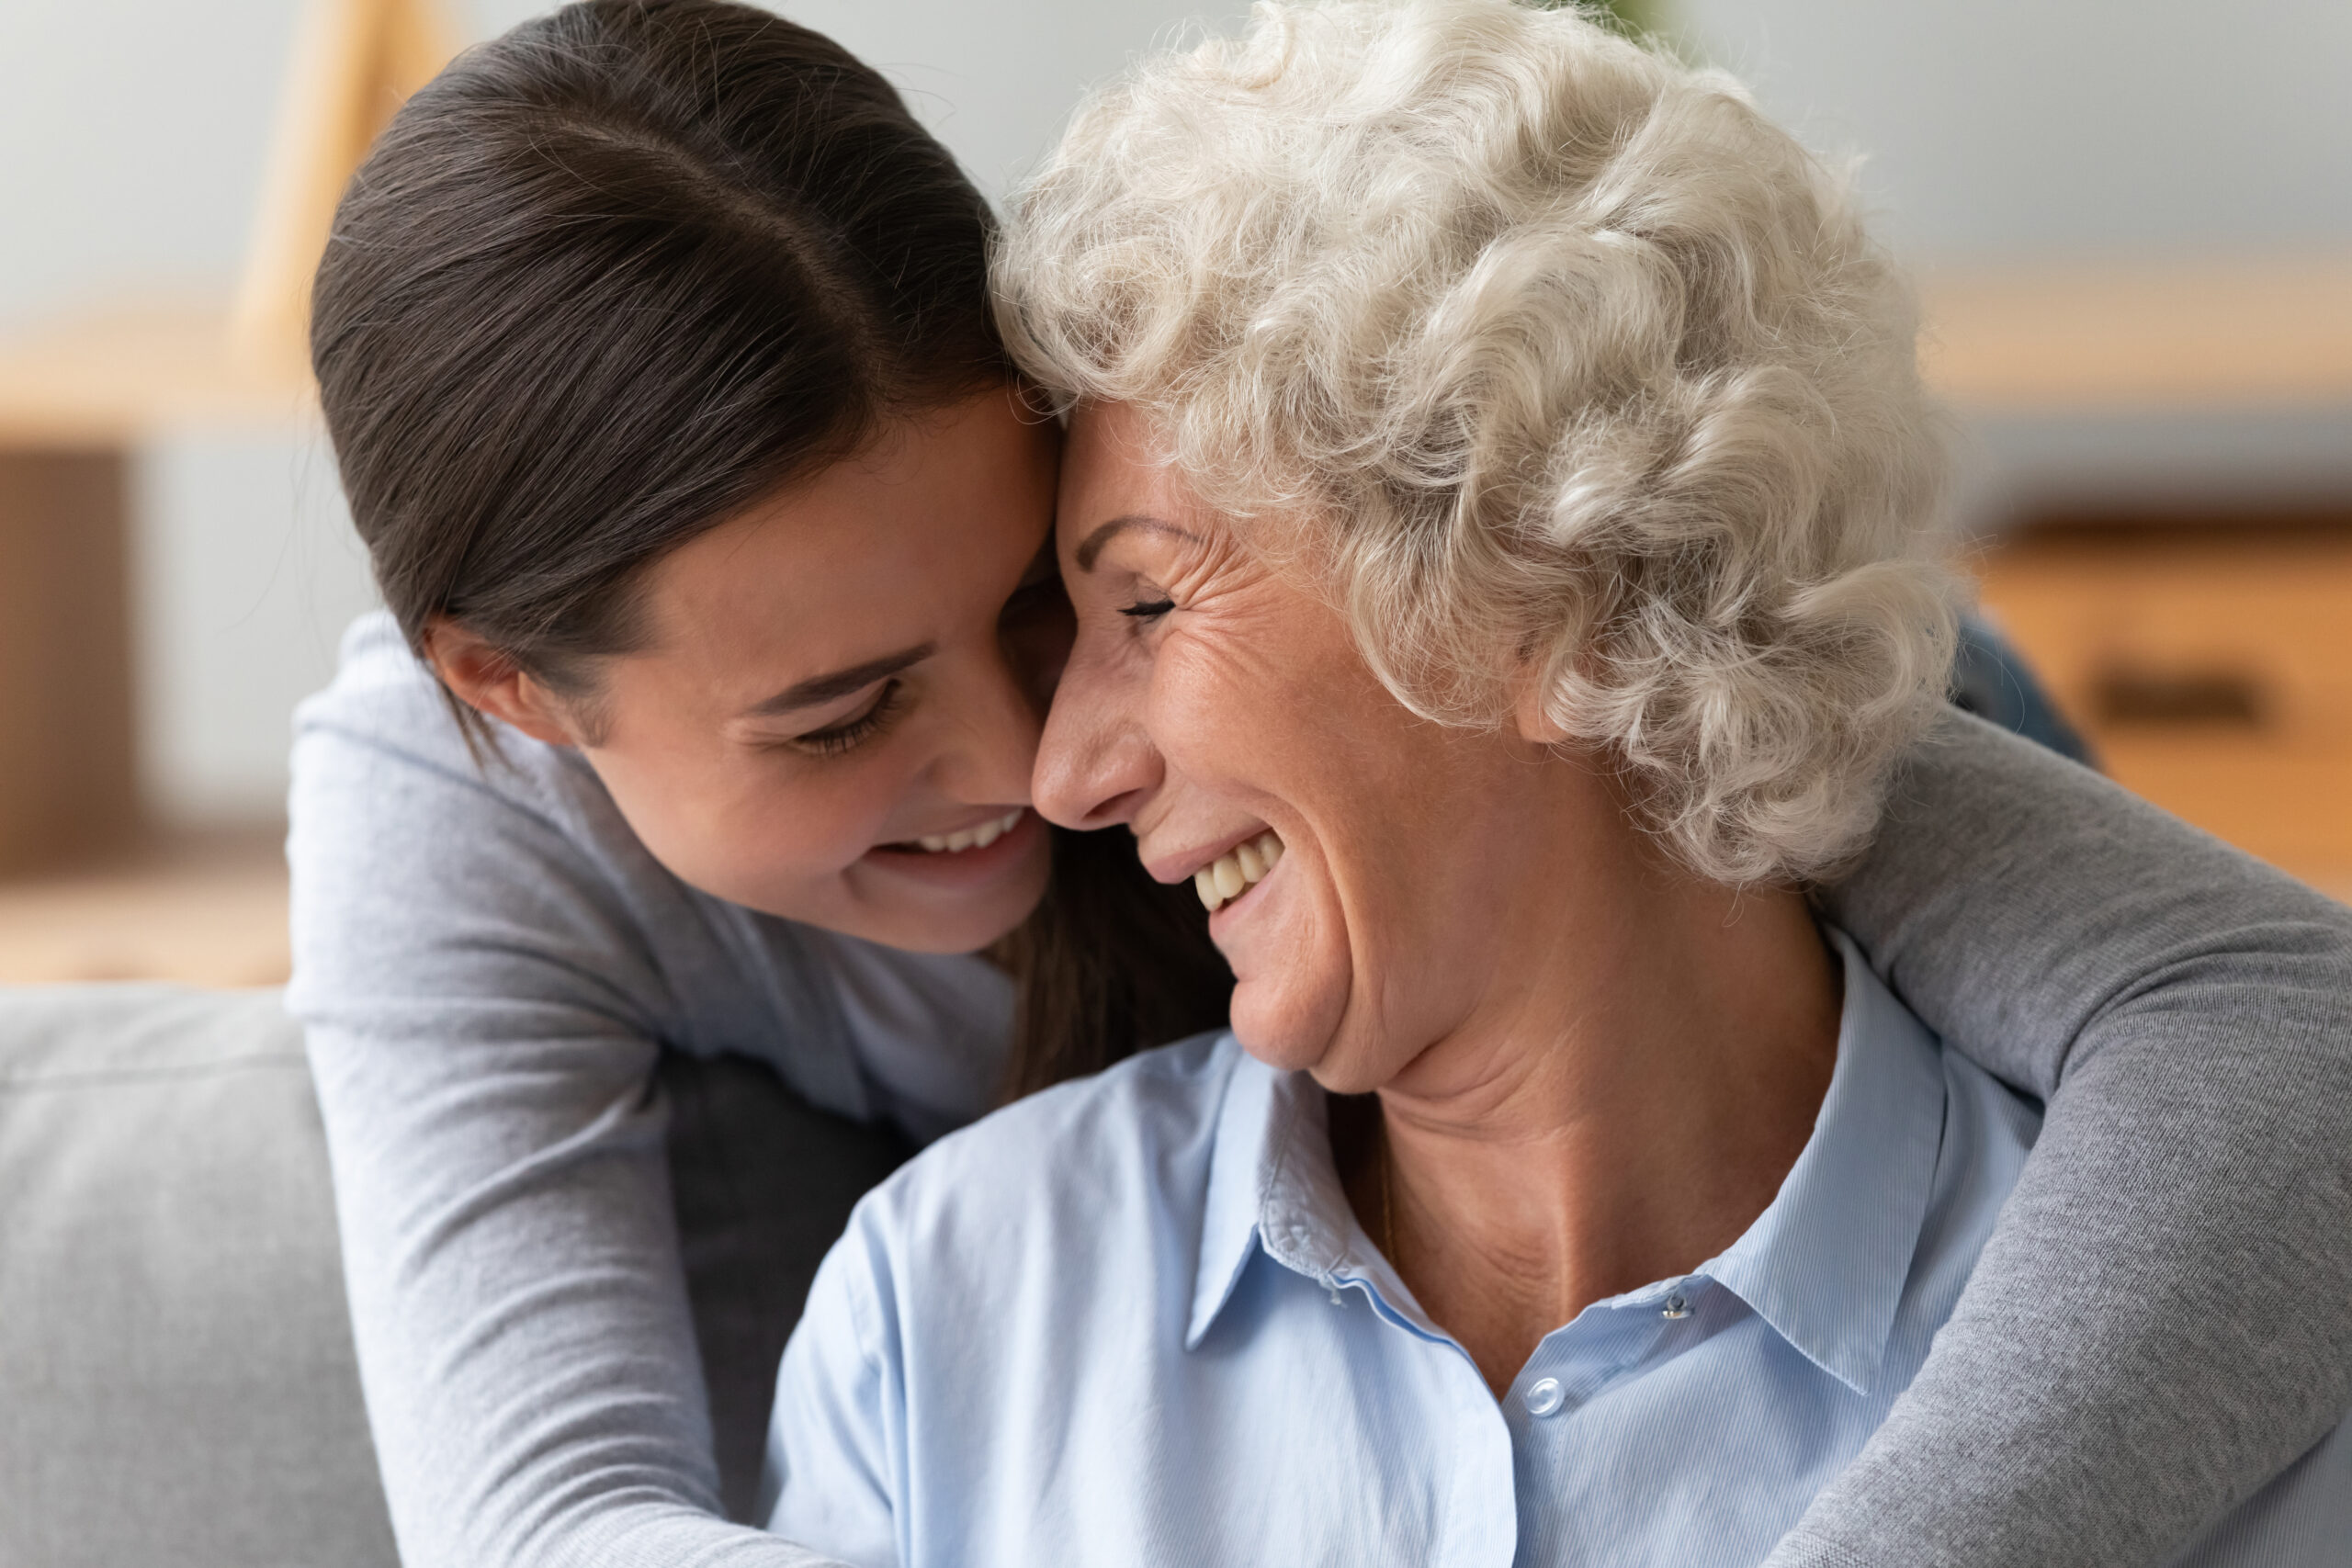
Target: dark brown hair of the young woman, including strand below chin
[{"x": 620, "y": 274}]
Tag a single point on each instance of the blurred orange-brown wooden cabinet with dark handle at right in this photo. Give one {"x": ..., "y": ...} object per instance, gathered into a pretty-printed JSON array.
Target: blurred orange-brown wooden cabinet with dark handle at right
[{"x": 2210, "y": 664}]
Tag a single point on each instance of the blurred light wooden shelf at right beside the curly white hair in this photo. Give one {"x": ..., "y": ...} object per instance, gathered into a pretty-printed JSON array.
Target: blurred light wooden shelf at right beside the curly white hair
[{"x": 2134, "y": 337}]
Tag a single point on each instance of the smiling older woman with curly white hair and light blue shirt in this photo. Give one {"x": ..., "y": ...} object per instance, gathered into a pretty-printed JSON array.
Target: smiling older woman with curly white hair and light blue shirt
[{"x": 1497, "y": 516}]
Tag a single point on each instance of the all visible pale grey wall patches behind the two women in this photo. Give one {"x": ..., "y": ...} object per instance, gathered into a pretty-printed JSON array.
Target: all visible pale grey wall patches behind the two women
[{"x": 133, "y": 138}]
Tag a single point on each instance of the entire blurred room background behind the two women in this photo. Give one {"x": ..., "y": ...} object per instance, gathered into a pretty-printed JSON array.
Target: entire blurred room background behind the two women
[{"x": 2132, "y": 222}]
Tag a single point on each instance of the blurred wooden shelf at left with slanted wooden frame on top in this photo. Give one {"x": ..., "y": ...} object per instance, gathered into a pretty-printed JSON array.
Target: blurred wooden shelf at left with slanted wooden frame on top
[{"x": 83, "y": 396}]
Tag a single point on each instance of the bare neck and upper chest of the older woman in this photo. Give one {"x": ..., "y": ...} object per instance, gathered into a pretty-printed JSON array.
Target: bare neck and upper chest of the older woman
[{"x": 1629, "y": 1101}]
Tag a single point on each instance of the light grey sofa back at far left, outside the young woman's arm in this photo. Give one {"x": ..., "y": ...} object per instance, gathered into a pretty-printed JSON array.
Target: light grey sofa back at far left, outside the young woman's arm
[{"x": 175, "y": 1360}]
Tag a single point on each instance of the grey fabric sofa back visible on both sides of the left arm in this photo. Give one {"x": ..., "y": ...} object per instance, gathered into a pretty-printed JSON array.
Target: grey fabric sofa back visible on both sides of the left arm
[{"x": 178, "y": 1381}]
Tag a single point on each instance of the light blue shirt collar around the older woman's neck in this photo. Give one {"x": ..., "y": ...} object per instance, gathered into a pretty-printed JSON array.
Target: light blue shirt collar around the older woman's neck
[{"x": 1824, "y": 1264}]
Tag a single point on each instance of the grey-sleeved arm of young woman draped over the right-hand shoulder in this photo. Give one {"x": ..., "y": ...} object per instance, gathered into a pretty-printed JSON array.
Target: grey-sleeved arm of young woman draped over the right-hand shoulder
[{"x": 2165, "y": 1315}]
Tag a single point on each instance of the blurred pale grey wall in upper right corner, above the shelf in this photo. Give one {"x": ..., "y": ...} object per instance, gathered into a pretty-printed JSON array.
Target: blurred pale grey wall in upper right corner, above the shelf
[{"x": 2029, "y": 128}]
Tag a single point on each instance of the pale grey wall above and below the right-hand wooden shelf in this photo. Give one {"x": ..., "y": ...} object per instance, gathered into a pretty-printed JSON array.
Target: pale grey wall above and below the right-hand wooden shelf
[{"x": 2017, "y": 130}]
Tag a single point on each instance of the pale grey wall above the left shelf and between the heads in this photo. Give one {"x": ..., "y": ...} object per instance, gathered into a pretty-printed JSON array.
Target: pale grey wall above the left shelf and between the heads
[{"x": 133, "y": 130}]
